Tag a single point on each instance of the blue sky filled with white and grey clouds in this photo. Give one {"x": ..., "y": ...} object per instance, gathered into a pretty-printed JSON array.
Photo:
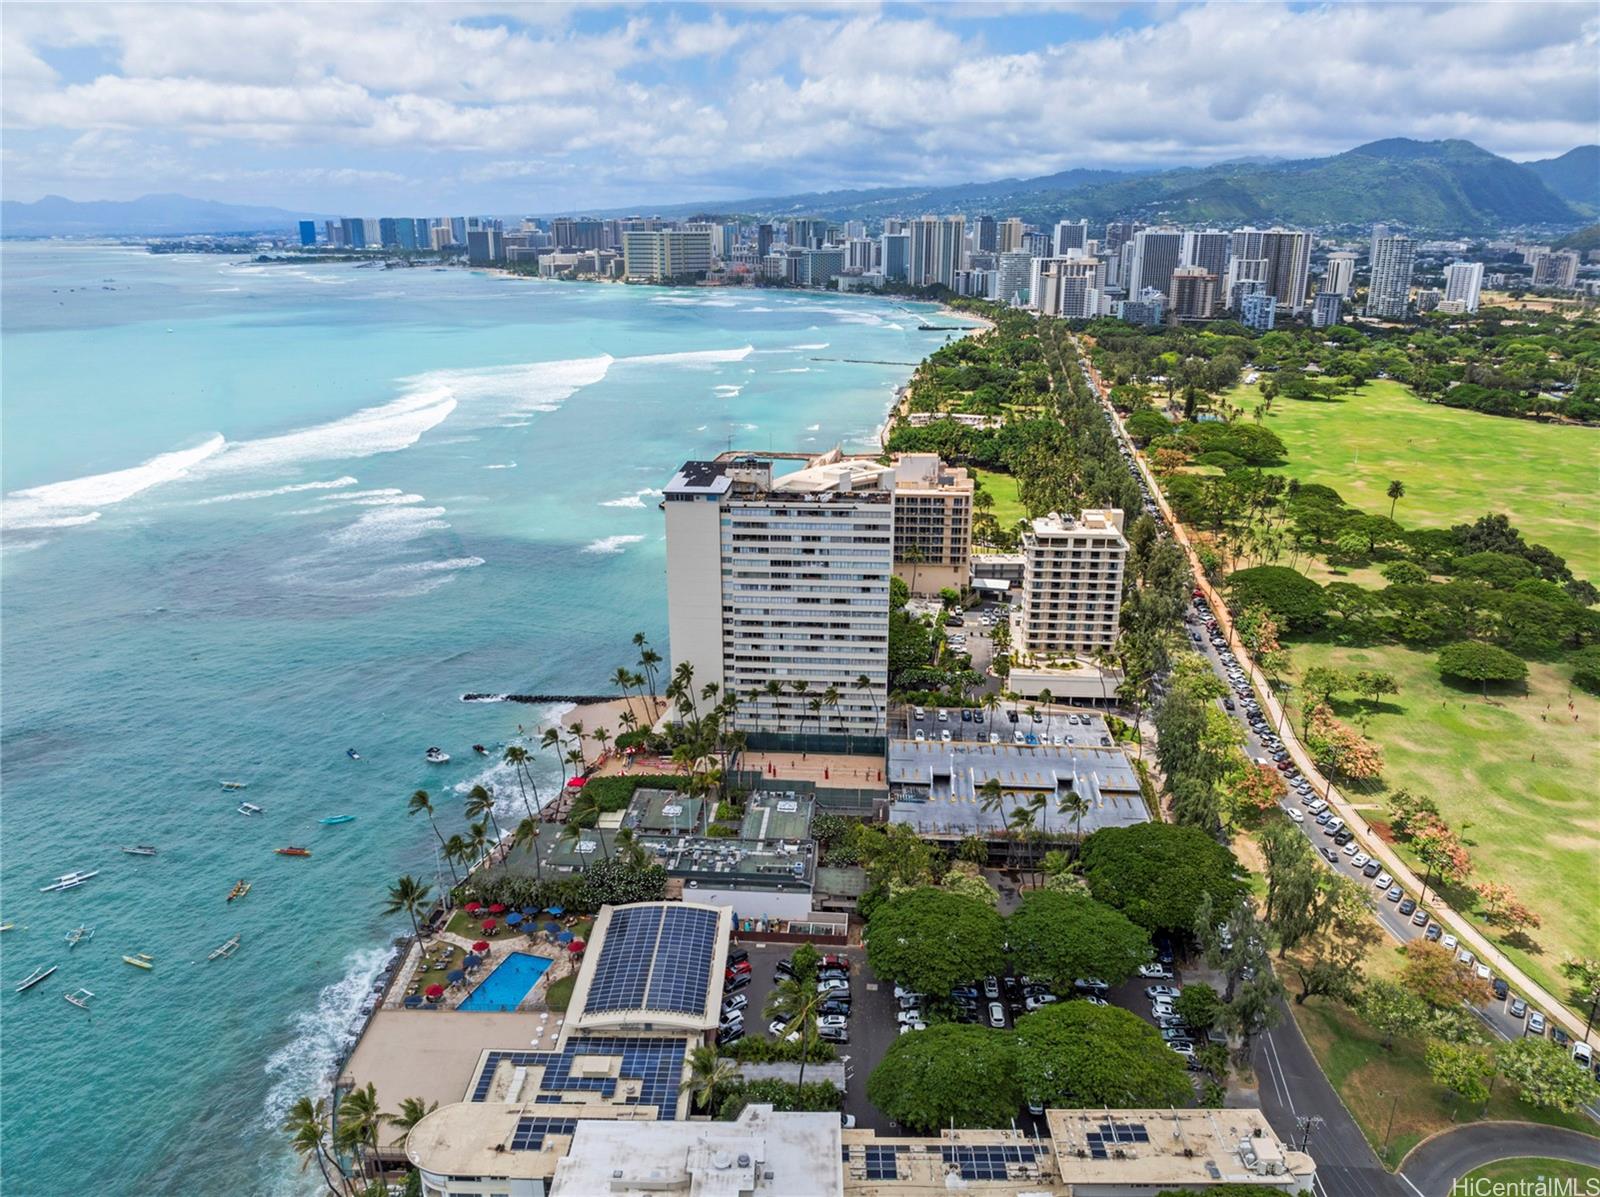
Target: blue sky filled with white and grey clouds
[{"x": 433, "y": 110}]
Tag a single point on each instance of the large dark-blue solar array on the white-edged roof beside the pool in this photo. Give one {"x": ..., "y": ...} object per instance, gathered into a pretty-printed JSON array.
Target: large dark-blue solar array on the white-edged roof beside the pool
[{"x": 655, "y": 958}]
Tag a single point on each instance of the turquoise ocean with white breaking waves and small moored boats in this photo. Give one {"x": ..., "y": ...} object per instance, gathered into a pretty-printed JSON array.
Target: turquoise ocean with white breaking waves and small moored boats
[{"x": 257, "y": 516}]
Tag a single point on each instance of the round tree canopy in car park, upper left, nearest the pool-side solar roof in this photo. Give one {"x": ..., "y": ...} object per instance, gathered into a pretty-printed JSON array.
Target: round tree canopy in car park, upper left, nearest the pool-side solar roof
[{"x": 934, "y": 940}]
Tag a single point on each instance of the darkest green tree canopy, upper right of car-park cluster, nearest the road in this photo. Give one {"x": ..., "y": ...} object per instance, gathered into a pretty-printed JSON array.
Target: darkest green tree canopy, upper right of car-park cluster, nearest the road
[{"x": 1158, "y": 873}]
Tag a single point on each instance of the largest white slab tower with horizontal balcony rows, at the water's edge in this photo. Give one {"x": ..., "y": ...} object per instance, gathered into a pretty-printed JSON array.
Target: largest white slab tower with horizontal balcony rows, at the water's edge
[{"x": 785, "y": 582}]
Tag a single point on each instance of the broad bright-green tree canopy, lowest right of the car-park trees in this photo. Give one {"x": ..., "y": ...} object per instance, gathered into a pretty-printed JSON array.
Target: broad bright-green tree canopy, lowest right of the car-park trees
[{"x": 1081, "y": 1055}]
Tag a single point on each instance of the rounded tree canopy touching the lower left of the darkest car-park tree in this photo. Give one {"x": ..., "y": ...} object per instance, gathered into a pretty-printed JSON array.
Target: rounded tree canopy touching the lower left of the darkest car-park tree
[{"x": 1070, "y": 935}]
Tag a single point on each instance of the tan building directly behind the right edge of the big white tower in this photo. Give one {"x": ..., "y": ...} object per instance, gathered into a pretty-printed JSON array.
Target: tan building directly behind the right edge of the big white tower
[{"x": 934, "y": 524}]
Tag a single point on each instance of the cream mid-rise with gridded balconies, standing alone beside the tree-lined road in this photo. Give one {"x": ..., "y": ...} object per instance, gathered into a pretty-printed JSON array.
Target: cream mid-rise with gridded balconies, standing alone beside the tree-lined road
[{"x": 1073, "y": 572}]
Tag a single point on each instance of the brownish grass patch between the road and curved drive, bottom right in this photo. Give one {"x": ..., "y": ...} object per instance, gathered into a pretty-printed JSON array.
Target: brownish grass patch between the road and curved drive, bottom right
[{"x": 1390, "y": 1092}]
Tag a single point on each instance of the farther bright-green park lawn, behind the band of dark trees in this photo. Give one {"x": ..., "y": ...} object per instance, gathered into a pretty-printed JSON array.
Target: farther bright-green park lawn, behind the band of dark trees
[{"x": 1455, "y": 465}]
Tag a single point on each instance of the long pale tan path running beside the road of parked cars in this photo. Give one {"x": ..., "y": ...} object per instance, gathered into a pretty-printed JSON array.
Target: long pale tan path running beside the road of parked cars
[{"x": 1372, "y": 844}]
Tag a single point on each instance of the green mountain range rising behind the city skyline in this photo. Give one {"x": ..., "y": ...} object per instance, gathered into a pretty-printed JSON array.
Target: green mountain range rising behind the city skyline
[{"x": 1434, "y": 186}]
